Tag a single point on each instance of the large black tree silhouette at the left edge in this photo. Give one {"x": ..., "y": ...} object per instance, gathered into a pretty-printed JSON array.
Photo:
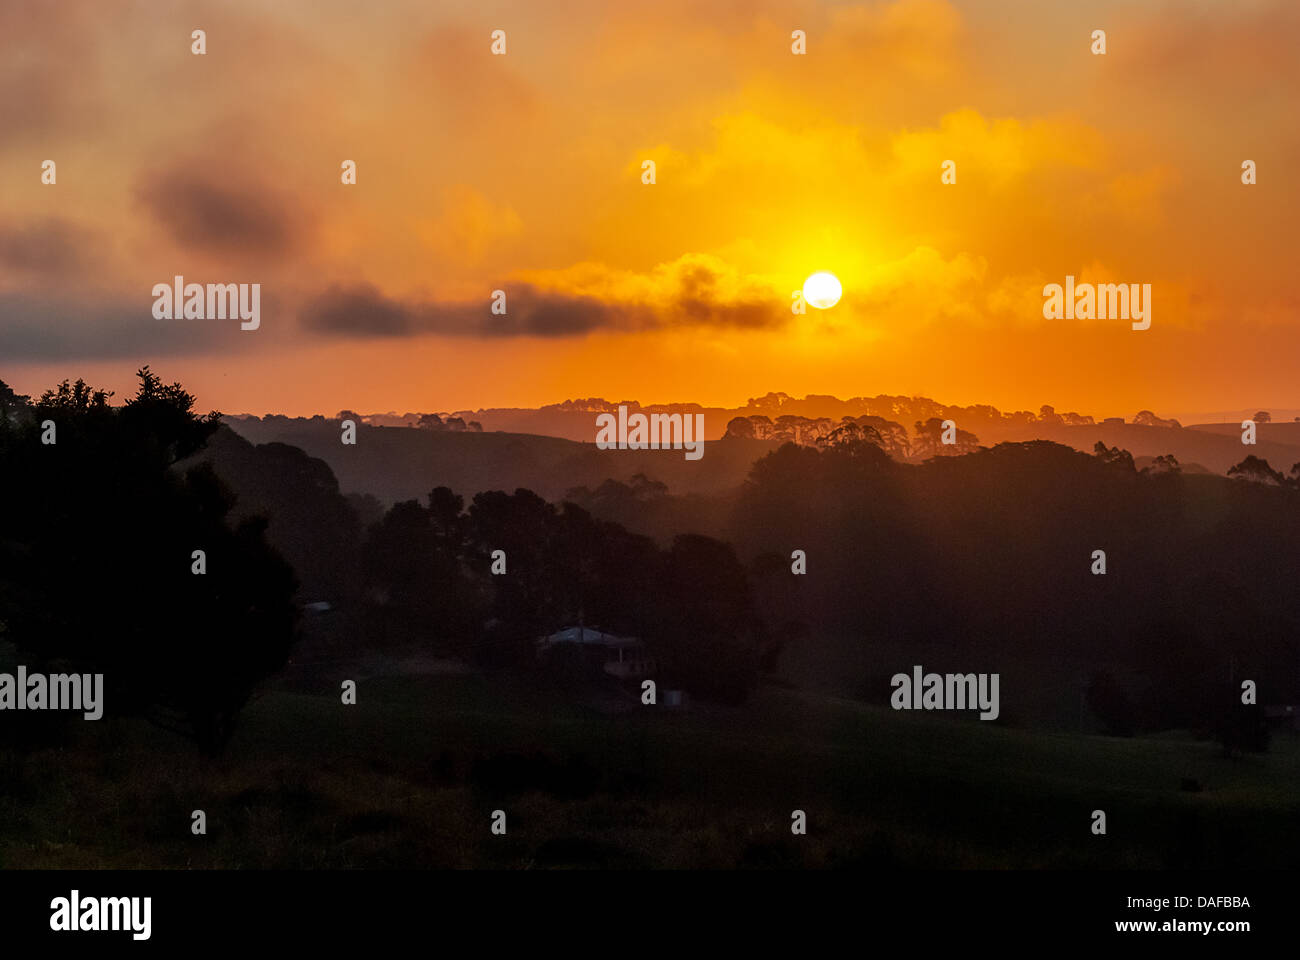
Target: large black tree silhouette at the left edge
[{"x": 98, "y": 556}]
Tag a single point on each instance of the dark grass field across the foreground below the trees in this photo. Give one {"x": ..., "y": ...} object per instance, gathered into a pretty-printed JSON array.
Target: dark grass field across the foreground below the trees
[{"x": 410, "y": 777}]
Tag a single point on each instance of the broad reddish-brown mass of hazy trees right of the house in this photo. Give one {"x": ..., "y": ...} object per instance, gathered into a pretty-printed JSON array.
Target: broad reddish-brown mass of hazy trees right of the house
[{"x": 990, "y": 556}]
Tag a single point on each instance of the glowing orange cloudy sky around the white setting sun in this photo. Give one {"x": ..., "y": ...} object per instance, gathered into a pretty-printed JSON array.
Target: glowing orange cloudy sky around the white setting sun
[{"x": 523, "y": 172}]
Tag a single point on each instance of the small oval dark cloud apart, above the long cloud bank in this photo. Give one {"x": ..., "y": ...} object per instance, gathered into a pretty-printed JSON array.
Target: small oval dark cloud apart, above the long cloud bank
[{"x": 219, "y": 214}]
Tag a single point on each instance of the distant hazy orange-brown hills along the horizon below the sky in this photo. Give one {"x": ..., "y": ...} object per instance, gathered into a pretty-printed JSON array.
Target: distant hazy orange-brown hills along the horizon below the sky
[{"x": 551, "y": 449}]
